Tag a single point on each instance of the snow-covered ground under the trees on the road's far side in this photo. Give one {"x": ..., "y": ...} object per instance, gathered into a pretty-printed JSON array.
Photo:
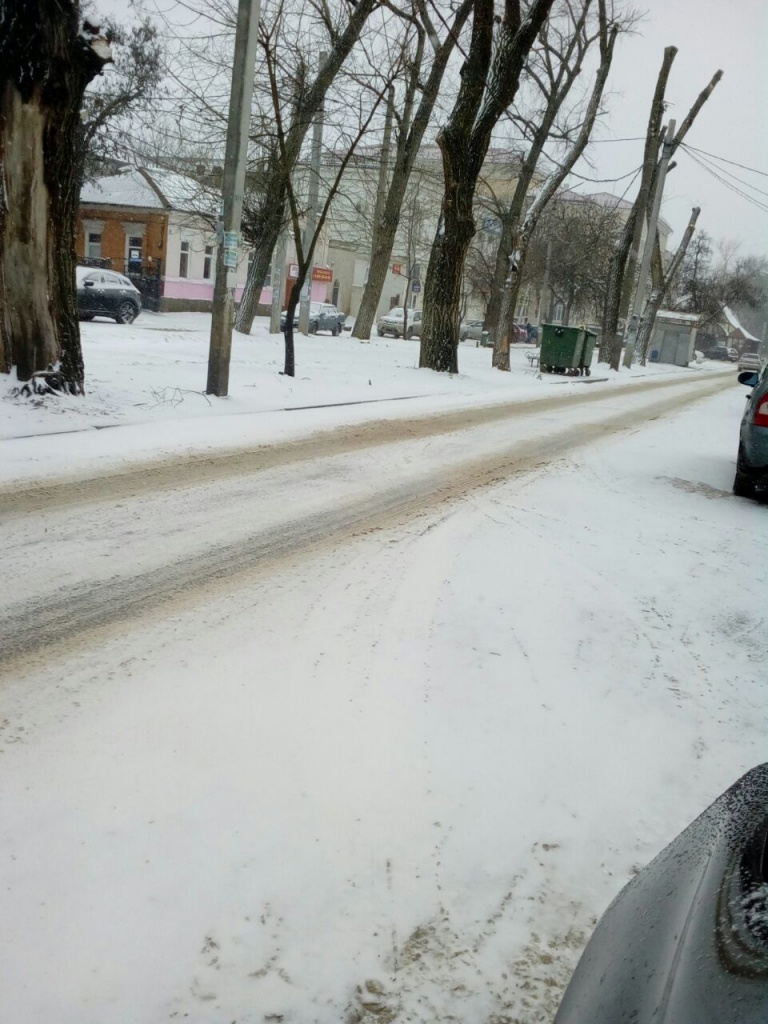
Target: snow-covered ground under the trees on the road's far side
[{"x": 150, "y": 378}]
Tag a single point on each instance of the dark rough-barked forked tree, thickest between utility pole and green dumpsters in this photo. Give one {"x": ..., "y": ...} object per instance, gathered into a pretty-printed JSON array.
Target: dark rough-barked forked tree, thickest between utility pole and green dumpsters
[{"x": 490, "y": 80}]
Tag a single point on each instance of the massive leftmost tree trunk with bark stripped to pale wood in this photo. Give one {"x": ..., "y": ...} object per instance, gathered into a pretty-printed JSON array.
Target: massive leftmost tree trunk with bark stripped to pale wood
[{"x": 49, "y": 55}]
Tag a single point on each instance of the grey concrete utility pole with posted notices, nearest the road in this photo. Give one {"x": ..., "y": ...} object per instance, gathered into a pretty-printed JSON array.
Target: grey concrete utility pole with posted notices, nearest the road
[{"x": 233, "y": 186}]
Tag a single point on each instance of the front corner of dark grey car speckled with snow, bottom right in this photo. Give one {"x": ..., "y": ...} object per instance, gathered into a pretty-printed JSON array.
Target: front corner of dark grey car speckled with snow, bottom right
[{"x": 687, "y": 942}]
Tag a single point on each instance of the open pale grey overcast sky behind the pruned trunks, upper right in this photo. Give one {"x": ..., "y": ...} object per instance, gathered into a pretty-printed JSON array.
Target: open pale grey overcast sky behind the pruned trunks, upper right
[{"x": 710, "y": 35}]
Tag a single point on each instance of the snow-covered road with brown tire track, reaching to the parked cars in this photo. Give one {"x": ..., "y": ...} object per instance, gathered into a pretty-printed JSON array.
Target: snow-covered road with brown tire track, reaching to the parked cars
[{"x": 401, "y": 716}]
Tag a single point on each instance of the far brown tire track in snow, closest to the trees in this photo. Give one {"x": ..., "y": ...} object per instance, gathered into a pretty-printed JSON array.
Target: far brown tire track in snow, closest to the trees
[{"x": 198, "y": 470}]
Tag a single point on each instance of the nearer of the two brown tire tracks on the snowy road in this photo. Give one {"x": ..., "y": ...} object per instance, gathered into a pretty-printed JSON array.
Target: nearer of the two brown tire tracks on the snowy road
[{"x": 62, "y": 621}]
